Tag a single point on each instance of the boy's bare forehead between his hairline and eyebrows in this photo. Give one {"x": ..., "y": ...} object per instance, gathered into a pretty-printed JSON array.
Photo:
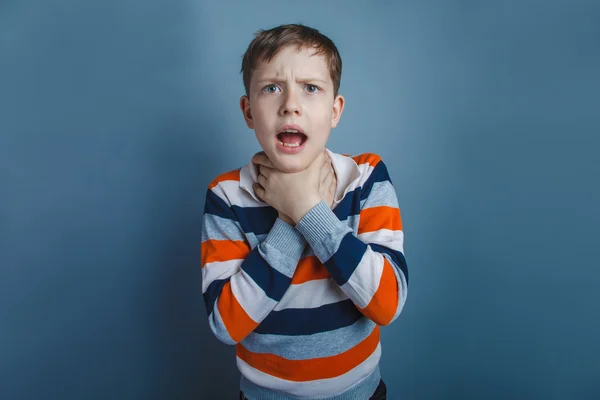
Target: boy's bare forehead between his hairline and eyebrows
[{"x": 303, "y": 63}]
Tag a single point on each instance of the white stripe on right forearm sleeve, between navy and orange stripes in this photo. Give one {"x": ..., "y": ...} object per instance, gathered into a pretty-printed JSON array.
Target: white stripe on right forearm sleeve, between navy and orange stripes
[{"x": 364, "y": 281}]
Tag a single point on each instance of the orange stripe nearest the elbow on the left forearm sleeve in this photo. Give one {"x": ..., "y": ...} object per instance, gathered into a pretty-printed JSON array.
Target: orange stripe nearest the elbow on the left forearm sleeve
[{"x": 236, "y": 320}]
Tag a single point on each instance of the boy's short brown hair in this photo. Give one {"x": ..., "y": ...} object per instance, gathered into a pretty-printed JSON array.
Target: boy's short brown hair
[{"x": 267, "y": 43}]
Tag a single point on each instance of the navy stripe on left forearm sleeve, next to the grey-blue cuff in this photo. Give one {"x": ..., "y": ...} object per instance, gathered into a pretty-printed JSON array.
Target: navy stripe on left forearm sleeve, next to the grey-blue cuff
[{"x": 273, "y": 282}]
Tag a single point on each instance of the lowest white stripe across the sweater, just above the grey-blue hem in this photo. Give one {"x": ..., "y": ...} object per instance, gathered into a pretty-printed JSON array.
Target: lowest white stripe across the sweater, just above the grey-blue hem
[{"x": 316, "y": 388}]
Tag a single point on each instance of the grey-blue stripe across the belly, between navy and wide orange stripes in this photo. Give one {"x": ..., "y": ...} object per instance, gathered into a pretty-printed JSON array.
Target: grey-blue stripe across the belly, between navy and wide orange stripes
[{"x": 300, "y": 347}]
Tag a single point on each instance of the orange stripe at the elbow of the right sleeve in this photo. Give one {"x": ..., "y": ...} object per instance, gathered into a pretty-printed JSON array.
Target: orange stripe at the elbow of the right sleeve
[{"x": 383, "y": 305}]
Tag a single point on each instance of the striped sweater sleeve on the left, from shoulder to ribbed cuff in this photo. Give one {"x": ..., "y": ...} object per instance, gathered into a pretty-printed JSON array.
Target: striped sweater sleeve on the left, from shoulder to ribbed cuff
[{"x": 240, "y": 285}]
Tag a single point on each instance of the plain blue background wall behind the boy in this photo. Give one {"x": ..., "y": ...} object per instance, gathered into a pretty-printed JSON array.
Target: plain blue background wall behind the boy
[{"x": 115, "y": 116}]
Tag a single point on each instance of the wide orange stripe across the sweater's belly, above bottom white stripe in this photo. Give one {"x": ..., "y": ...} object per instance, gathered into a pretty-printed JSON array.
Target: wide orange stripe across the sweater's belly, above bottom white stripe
[{"x": 311, "y": 369}]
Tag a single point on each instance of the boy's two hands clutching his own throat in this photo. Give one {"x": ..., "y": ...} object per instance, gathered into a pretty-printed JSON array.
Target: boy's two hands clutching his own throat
[{"x": 293, "y": 194}]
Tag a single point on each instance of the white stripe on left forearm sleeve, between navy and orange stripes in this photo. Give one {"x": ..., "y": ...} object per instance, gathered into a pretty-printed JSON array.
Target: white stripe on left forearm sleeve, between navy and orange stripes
[{"x": 251, "y": 297}]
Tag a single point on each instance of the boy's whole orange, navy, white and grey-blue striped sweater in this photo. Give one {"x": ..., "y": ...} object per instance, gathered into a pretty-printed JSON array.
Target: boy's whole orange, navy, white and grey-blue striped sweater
[{"x": 303, "y": 304}]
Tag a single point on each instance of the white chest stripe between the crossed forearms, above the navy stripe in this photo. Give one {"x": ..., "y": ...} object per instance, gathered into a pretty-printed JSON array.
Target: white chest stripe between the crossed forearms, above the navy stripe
[{"x": 311, "y": 294}]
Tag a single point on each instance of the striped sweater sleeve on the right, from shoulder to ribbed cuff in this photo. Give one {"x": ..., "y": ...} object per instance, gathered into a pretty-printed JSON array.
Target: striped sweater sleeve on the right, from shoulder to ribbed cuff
[{"x": 369, "y": 267}]
